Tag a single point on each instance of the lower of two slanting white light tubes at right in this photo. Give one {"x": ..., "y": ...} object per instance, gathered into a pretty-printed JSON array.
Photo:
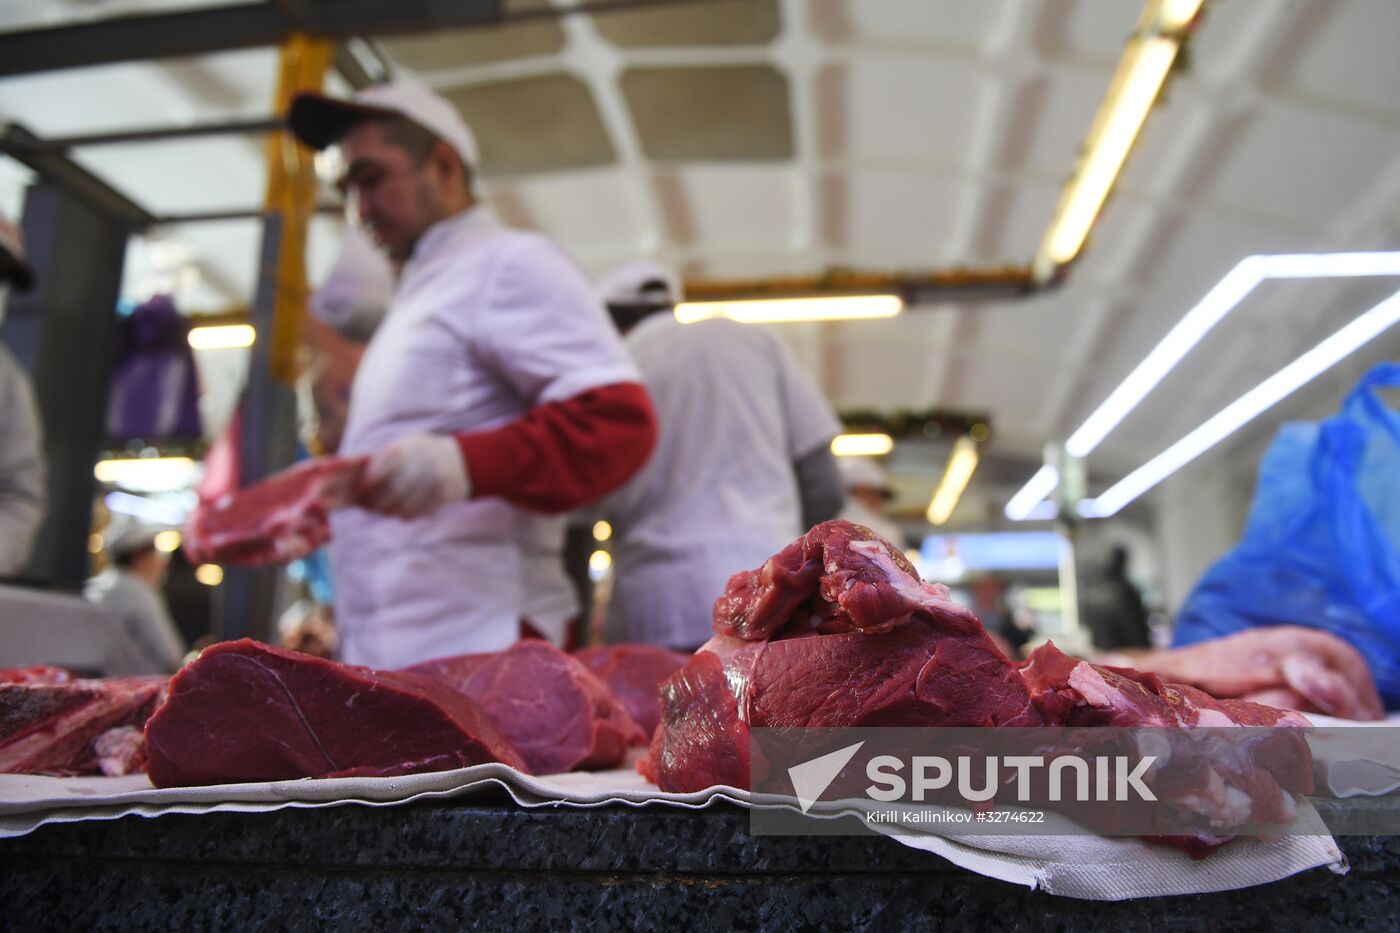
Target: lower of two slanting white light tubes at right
[{"x": 1247, "y": 408}]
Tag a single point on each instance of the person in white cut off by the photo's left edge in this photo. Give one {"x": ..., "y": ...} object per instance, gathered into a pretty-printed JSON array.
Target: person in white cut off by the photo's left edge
[{"x": 22, "y": 446}]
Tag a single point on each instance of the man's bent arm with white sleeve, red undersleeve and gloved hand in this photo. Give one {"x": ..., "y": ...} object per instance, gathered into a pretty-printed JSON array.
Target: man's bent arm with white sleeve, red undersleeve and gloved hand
[{"x": 590, "y": 424}]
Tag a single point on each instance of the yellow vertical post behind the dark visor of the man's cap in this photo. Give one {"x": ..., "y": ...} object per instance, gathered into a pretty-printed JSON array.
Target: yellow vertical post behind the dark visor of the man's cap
[{"x": 292, "y": 193}]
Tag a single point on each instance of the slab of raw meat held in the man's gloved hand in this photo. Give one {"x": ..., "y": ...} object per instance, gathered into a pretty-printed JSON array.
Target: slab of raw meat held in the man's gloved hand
[{"x": 278, "y": 520}]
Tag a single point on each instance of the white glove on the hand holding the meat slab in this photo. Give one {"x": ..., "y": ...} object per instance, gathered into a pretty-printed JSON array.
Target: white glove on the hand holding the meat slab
[{"x": 415, "y": 476}]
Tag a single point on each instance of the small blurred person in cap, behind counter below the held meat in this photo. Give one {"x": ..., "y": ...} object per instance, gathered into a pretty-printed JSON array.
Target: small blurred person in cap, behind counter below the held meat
[{"x": 131, "y": 588}]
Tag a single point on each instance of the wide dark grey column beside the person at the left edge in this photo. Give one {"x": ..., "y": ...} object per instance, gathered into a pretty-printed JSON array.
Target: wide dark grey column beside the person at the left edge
[{"x": 78, "y": 253}]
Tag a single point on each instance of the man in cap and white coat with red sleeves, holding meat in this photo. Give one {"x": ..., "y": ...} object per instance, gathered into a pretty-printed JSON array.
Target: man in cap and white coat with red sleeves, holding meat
[{"x": 493, "y": 399}]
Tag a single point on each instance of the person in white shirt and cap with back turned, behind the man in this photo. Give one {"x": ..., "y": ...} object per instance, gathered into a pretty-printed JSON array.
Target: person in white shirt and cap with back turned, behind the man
[{"x": 743, "y": 464}]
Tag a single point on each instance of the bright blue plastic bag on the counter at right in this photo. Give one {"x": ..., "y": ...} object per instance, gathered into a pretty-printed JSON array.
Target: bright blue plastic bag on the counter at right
[{"x": 1322, "y": 546}]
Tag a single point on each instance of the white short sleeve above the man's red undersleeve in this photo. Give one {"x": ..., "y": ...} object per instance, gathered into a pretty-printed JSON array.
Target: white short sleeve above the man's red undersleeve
[{"x": 545, "y": 331}]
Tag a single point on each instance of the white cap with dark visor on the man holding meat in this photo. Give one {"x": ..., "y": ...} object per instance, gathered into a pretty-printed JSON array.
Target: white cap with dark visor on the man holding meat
[{"x": 321, "y": 121}]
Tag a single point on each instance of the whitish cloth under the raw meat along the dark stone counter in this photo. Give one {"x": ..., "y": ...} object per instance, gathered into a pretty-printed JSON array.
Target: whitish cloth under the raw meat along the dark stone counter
[{"x": 1091, "y": 868}]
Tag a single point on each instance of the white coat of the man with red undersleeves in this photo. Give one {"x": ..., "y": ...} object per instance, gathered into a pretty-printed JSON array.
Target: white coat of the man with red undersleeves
[{"x": 486, "y": 324}]
